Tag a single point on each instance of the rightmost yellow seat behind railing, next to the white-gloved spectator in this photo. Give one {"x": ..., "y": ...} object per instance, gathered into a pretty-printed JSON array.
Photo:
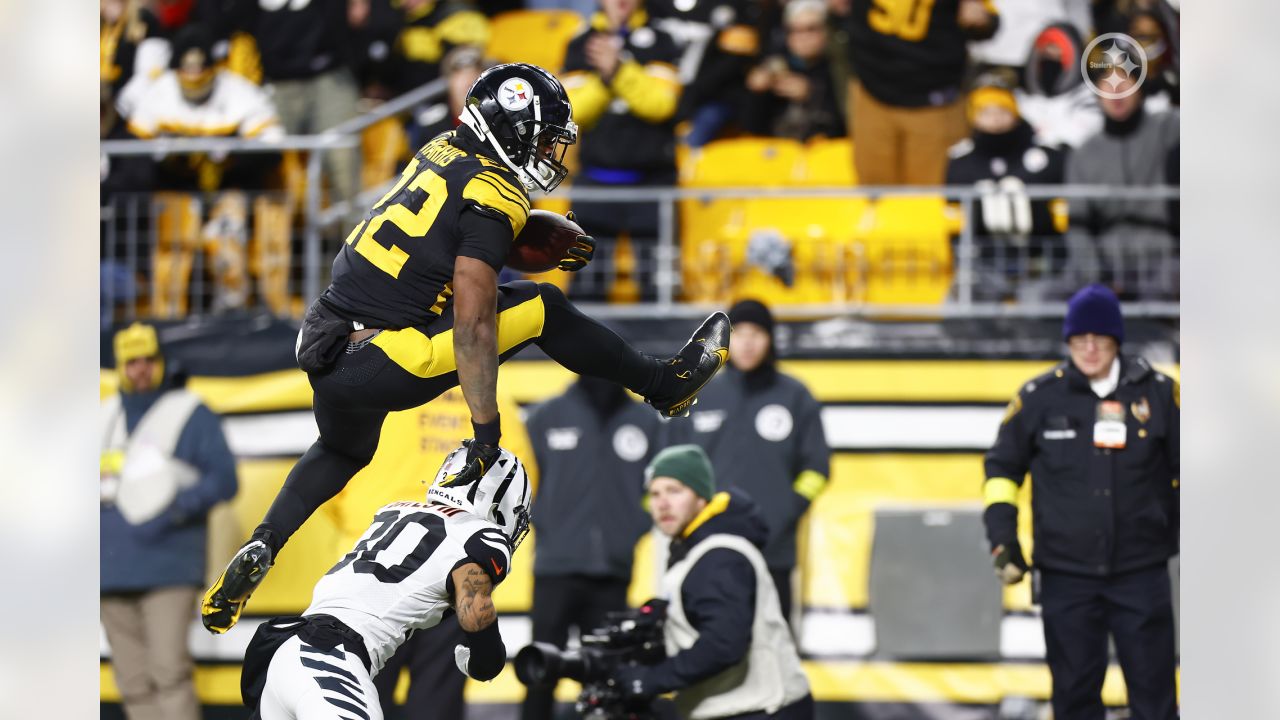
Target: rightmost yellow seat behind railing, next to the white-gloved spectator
[{"x": 906, "y": 252}]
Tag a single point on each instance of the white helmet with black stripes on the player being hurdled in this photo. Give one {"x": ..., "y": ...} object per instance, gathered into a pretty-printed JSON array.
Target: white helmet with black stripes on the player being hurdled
[{"x": 502, "y": 496}]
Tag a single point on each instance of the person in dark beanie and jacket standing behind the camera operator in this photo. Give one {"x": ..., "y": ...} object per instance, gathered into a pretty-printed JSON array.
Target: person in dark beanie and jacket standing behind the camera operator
[{"x": 762, "y": 430}]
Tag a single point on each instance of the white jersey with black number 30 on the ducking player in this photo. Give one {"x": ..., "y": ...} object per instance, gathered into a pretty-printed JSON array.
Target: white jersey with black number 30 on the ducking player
[{"x": 396, "y": 580}]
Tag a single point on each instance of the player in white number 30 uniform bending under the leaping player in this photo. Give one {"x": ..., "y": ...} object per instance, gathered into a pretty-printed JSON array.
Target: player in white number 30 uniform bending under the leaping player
[{"x": 415, "y": 562}]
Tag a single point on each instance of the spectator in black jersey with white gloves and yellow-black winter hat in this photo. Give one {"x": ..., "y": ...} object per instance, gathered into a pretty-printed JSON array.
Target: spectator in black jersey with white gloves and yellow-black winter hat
[{"x": 1018, "y": 240}]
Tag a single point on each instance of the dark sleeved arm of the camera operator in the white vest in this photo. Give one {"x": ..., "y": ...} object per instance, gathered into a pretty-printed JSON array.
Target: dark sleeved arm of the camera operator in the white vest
[{"x": 720, "y": 601}]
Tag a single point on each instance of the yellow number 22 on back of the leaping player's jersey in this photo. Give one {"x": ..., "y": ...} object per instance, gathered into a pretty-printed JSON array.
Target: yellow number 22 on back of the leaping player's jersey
[{"x": 412, "y": 207}]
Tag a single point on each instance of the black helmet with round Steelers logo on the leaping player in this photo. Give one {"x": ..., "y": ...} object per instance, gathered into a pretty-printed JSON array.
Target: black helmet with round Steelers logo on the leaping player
[{"x": 523, "y": 112}]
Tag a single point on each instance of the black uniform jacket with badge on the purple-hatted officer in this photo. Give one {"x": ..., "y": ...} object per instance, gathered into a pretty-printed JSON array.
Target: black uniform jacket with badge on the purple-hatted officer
[{"x": 1095, "y": 512}]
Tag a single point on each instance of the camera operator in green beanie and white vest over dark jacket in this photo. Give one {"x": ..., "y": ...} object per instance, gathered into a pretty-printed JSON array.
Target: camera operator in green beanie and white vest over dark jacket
[{"x": 729, "y": 650}]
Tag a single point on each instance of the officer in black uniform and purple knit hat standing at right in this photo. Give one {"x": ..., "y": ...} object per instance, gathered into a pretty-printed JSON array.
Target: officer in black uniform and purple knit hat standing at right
[{"x": 1100, "y": 435}]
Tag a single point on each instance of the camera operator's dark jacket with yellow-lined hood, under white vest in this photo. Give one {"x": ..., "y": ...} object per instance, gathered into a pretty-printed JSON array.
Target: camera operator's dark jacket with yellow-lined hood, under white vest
[{"x": 719, "y": 598}]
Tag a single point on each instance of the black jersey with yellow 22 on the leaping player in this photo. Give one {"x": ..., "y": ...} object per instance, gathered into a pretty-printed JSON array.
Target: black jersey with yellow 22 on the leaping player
[{"x": 396, "y": 268}]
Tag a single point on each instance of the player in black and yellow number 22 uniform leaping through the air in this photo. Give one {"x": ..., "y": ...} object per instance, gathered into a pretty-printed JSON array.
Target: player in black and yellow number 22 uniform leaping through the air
[{"x": 415, "y": 309}]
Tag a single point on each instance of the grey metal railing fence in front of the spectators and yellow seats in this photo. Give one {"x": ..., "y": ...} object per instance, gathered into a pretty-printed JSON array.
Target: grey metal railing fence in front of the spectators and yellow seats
[{"x": 902, "y": 252}]
